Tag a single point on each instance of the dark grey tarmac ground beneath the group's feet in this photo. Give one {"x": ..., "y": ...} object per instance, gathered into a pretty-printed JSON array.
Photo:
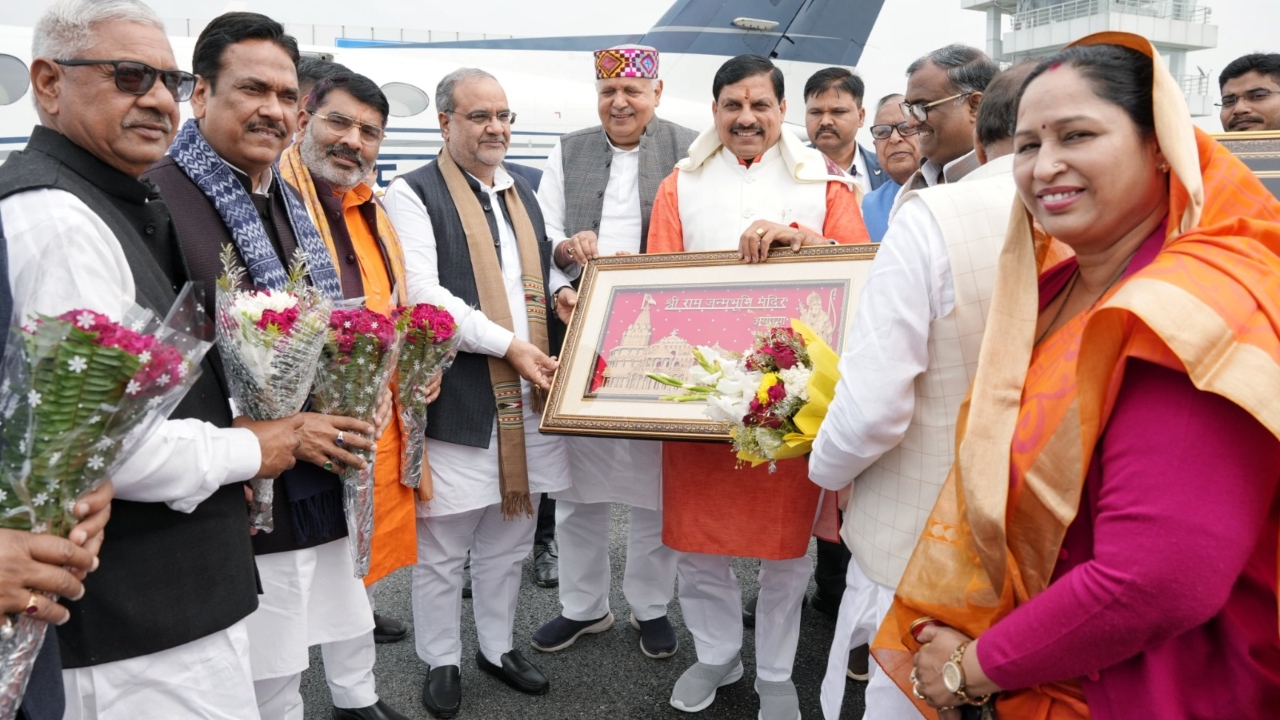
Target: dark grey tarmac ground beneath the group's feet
[{"x": 601, "y": 677}]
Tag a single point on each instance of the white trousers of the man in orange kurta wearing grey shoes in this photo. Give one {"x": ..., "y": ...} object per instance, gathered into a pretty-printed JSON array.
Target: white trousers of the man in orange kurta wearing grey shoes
[{"x": 712, "y": 604}]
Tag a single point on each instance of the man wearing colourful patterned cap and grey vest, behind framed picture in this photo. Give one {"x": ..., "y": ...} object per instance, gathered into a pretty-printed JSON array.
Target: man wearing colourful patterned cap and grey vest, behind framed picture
[{"x": 598, "y": 192}]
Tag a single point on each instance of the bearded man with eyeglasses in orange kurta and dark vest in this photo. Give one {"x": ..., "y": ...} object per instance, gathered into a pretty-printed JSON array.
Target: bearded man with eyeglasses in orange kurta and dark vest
[{"x": 330, "y": 171}]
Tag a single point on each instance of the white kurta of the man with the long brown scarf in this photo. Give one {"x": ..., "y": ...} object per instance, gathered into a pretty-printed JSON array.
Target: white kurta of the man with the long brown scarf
[{"x": 464, "y": 477}]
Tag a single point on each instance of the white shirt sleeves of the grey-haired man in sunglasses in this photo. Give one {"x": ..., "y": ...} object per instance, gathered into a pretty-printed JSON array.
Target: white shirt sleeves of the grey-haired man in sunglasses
[{"x": 63, "y": 257}]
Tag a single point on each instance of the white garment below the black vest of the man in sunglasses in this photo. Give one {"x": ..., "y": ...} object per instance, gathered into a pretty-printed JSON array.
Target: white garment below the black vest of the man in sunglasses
[{"x": 207, "y": 680}]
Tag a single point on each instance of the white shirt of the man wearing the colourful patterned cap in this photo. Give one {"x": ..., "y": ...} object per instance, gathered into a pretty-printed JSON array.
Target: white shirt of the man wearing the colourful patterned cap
[{"x": 620, "y": 217}]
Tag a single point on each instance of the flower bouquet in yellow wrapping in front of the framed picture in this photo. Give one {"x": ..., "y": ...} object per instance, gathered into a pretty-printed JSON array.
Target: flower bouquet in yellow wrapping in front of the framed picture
[{"x": 772, "y": 398}]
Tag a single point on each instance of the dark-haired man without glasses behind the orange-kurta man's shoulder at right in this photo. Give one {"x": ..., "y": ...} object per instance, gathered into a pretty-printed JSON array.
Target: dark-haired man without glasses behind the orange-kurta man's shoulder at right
[{"x": 834, "y": 115}]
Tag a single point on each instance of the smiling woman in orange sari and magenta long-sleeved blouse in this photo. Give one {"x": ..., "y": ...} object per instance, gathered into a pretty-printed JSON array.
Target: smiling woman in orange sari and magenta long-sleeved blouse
[{"x": 1108, "y": 541}]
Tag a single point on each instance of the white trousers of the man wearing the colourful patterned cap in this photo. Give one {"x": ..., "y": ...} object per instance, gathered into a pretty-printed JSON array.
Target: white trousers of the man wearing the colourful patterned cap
[{"x": 648, "y": 581}]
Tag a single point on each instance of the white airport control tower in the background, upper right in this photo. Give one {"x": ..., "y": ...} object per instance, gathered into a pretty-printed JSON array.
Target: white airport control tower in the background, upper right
[{"x": 1043, "y": 28}]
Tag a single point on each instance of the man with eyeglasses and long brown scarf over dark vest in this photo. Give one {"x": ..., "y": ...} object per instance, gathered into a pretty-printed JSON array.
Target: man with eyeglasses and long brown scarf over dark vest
[{"x": 476, "y": 243}]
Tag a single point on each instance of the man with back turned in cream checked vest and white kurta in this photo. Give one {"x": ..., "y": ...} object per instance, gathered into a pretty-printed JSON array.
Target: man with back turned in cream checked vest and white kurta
[{"x": 911, "y": 358}]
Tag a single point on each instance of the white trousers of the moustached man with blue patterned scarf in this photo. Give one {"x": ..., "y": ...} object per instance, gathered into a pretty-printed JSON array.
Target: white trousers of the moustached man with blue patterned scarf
[{"x": 349, "y": 669}]
